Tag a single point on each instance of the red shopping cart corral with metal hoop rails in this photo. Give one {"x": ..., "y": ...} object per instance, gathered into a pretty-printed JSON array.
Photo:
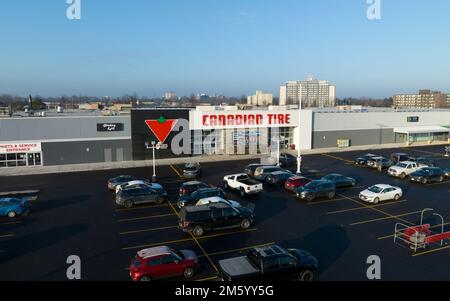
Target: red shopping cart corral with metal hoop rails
[{"x": 421, "y": 236}]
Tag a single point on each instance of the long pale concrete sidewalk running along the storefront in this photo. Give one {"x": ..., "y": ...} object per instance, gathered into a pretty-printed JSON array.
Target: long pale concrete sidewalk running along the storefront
[{"x": 23, "y": 171}]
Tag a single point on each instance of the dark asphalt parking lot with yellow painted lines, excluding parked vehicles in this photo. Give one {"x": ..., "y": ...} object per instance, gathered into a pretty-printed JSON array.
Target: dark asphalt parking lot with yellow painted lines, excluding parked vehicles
[{"x": 75, "y": 214}]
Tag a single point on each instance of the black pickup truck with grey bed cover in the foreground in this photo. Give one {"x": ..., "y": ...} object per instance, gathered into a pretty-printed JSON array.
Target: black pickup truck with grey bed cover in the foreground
[{"x": 271, "y": 263}]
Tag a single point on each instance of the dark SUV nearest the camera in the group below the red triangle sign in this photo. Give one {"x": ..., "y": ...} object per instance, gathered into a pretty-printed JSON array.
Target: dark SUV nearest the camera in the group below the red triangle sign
[{"x": 130, "y": 197}]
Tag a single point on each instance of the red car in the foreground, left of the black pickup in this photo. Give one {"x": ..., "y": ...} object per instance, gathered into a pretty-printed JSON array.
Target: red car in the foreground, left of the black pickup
[{"x": 163, "y": 262}]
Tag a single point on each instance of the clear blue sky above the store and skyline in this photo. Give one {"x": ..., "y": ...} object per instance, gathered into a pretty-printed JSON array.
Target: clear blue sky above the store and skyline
[{"x": 230, "y": 47}]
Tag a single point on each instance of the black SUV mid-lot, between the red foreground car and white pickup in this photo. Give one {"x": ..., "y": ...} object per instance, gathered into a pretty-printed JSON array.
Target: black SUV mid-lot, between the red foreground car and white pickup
[{"x": 214, "y": 216}]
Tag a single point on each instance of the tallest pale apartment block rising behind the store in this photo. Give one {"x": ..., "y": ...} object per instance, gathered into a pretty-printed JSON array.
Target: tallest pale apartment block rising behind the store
[{"x": 310, "y": 92}]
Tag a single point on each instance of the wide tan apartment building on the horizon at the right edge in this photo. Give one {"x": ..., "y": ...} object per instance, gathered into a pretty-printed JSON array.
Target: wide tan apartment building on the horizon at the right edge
[{"x": 426, "y": 99}]
